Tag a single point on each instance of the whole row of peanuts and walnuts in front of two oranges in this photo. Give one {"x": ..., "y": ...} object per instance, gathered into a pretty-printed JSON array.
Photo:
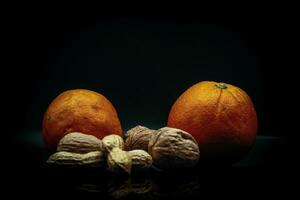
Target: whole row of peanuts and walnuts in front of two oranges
[{"x": 164, "y": 148}]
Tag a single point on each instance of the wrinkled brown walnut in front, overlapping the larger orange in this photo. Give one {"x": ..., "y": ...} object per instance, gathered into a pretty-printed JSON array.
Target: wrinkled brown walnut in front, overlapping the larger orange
[{"x": 173, "y": 148}]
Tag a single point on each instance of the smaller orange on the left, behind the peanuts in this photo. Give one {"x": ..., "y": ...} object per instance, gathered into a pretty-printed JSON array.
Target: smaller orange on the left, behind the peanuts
[{"x": 81, "y": 111}]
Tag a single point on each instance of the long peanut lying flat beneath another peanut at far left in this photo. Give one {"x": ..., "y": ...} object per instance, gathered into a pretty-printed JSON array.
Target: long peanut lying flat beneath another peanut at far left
[{"x": 68, "y": 158}]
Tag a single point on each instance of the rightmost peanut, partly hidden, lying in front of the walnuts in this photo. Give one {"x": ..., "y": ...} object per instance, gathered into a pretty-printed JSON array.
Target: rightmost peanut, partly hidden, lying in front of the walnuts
[{"x": 140, "y": 159}]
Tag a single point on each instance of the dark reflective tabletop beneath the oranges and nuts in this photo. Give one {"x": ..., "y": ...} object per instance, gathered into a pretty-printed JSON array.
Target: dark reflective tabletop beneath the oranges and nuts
[{"x": 264, "y": 168}]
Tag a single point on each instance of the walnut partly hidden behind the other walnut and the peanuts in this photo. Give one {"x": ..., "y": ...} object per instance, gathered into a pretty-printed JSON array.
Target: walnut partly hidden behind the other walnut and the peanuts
[{"x": 138, "y": 138}]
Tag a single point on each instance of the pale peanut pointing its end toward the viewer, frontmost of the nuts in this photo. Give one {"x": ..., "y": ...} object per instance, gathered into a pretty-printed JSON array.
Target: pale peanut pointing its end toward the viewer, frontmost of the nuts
[{"x": 119, "y": 161}]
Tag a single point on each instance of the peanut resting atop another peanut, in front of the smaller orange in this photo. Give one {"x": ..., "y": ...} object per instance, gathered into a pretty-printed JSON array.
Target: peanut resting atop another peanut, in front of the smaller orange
[{"x": 79, "y": 143}]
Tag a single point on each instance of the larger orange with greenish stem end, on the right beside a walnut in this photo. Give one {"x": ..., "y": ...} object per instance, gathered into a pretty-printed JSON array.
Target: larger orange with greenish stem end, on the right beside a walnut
[{"x": 220, "y": 116}]
